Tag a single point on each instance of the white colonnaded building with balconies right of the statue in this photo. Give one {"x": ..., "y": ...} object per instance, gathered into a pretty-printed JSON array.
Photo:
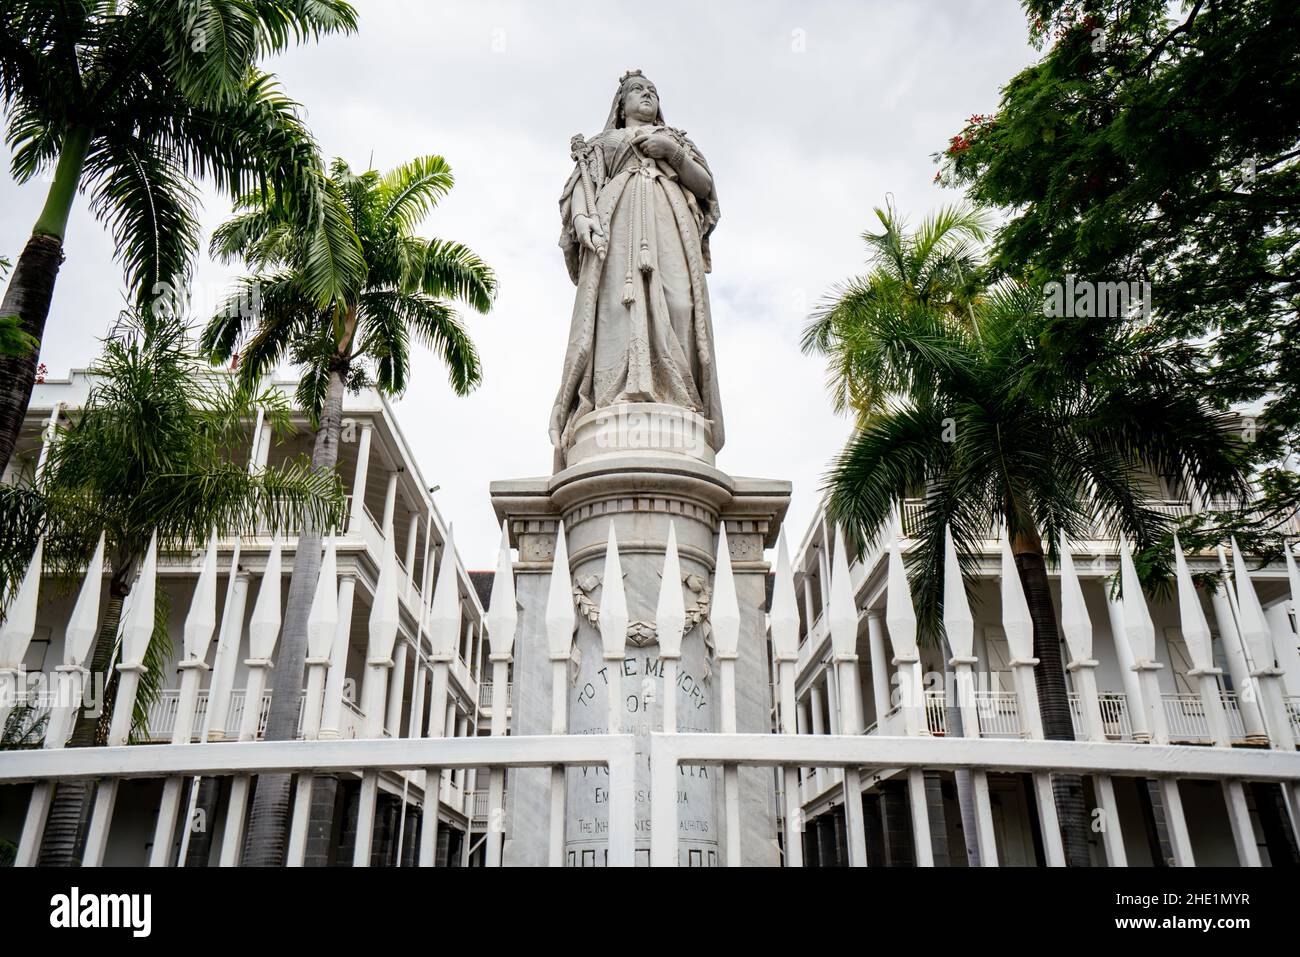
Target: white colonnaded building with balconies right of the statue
[{"x": 1230, "y": 688}]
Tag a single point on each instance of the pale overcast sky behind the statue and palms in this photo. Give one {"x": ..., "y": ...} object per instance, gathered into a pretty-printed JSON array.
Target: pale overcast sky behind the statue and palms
[{"x": 809, "y": 114}]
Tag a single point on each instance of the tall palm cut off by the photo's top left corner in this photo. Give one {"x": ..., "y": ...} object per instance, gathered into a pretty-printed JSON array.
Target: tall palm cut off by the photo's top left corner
[{"x": 131, "y": 101}]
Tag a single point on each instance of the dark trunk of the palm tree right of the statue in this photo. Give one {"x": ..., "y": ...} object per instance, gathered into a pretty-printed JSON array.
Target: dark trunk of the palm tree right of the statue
[{"x": 1054, "y": 698}]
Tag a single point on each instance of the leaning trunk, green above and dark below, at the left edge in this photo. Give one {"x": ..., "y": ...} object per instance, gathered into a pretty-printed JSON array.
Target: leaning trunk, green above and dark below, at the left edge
[{"x": 32, "y": 288}]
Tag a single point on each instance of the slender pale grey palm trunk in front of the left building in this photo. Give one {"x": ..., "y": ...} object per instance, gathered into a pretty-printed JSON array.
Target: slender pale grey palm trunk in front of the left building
[{"x": 268, "y": 825}]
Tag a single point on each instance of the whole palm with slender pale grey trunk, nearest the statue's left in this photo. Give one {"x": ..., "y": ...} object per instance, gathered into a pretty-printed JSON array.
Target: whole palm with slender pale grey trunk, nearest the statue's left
[{"x": 391, "y": 287}]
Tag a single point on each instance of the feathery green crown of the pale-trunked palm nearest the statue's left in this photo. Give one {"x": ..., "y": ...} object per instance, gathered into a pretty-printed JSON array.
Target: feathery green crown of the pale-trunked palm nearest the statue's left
[{"x": 348, "y": 296}]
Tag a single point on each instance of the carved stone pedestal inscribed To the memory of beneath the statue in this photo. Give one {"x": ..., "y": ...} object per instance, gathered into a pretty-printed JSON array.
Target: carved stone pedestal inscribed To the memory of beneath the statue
[{"x": 642, "y": 469}]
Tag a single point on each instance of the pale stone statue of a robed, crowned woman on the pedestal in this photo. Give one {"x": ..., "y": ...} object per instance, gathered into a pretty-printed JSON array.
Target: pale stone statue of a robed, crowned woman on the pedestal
[{"x": 636, "y": 216}]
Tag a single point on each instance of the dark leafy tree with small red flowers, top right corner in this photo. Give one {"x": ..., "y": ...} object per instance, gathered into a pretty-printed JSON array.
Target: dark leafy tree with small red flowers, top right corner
[{"x": 1162, "y": 142}]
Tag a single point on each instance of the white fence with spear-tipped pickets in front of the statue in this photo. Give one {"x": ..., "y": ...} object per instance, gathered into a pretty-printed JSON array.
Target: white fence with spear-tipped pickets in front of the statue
[{"x": 422, "y": 759}]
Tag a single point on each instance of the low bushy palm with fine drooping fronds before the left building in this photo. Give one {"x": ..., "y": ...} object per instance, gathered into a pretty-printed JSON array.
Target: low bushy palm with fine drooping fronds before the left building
[{"x": 155, "y": 451}]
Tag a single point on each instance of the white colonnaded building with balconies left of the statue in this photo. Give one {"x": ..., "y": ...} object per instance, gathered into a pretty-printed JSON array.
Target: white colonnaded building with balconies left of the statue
[{"x": 387, "y": 490}]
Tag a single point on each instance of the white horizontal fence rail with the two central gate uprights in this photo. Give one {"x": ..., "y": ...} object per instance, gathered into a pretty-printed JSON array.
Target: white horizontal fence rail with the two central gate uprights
[{"x": 668, "y": 752}]
